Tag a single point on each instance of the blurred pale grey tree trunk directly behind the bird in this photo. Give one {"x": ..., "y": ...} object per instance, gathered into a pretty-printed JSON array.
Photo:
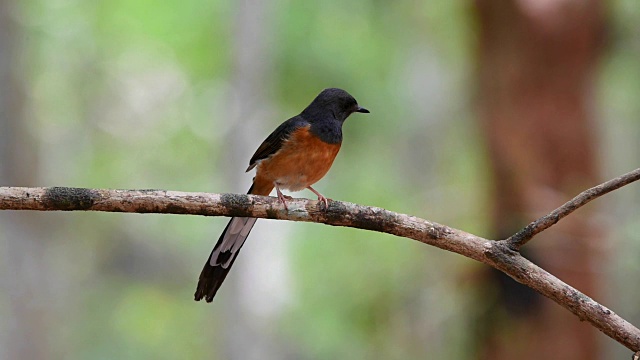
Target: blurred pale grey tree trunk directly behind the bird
[{"x": 248, "y": 329}]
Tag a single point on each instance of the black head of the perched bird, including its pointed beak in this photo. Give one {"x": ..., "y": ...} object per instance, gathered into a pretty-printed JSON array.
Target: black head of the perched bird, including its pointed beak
[{"x": 333, "y": 102}]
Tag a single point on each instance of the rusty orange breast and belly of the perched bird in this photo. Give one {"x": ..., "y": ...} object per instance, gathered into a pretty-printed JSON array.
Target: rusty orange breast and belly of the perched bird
[{"x": 303, "y": 160}]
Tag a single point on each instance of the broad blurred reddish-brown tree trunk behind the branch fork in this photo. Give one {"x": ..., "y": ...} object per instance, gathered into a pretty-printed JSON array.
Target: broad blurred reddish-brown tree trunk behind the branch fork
[{"x": 537, "y": 63}]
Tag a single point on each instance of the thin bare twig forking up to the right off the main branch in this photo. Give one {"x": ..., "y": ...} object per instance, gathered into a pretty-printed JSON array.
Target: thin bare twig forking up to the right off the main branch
[{"x": 523, "y": 236}]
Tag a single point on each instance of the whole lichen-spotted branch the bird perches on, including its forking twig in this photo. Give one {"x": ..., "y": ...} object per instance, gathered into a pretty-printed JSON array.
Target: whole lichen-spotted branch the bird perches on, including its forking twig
[{"x": 498, "y": 254}]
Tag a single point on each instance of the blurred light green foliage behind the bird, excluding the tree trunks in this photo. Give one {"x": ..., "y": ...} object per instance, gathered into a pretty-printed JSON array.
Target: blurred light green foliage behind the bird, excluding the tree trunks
[{"x": 135, "y": 94}]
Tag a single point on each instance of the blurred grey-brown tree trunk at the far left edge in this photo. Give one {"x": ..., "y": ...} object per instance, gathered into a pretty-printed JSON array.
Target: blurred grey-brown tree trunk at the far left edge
[{"x": 24, "y": 274}]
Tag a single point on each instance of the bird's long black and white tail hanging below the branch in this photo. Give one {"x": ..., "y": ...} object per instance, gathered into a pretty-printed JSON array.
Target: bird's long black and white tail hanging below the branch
[{"x": 224, "y": 254}]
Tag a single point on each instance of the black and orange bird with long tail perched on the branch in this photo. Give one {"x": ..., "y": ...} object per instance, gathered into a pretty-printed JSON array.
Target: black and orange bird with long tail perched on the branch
[{"x": 294, "y": 156}]
